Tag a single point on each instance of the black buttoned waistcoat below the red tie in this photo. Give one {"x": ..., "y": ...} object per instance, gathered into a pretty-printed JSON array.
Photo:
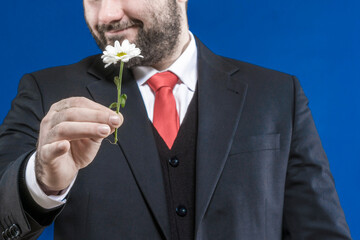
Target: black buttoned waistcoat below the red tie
[{"x": 178, "y": 168}]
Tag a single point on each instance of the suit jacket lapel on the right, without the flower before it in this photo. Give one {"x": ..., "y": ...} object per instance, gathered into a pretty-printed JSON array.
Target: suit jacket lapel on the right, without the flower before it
[{"x": 221, "y": 98}]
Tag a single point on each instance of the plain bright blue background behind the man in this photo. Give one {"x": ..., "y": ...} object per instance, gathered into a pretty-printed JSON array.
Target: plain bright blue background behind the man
[{"x": 317, "y": 40}]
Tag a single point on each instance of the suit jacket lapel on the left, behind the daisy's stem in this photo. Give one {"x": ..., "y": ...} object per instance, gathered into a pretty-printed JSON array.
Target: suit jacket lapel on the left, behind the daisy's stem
[{"x": 136, "y": 140}]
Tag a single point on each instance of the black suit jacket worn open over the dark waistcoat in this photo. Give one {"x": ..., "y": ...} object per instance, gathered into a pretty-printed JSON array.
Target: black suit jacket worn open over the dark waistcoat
[{"x": 261, "y": 172}]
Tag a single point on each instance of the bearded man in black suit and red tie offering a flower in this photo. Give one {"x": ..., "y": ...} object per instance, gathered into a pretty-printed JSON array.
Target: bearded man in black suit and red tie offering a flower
[{"x": 246, "y": 163}]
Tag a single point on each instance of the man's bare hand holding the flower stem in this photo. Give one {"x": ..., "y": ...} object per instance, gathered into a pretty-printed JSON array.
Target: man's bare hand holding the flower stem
[{"x": 70, "y": 137}]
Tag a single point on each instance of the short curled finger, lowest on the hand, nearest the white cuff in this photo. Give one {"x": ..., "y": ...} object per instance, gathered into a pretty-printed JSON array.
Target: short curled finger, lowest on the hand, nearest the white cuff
[{"x": 54, "y": 150}]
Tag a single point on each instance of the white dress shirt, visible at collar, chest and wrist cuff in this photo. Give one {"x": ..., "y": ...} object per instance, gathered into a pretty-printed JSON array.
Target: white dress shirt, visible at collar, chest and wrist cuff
[{"x": 185, "y": 67}]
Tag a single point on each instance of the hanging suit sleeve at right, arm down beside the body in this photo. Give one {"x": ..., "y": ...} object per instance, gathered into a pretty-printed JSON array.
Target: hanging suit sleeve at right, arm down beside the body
[{"x": 311, "y": 209}]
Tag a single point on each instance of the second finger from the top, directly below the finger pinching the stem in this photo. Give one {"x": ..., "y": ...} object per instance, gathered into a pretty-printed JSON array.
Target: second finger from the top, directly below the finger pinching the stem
[{"x": 78, "y": 130}]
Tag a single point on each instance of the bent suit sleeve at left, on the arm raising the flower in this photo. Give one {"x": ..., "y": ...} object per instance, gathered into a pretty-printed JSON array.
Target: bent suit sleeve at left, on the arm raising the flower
[{"x": 20, "y": 216}]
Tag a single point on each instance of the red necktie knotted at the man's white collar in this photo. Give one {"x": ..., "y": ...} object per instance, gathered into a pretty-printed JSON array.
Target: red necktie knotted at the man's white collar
[{"x": 166, "y": 118}]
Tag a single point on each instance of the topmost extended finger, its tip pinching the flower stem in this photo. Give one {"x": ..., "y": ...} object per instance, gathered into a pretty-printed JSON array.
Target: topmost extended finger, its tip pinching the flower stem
[{"x": 77, "y": 114}]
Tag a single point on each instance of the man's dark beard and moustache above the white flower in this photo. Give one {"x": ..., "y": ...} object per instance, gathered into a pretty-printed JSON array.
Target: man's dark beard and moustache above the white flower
[{"x": 156, "y": 43}]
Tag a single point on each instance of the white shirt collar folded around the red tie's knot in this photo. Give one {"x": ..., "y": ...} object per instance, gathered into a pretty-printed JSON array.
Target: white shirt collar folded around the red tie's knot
[{"x": 185, "y": 67}]
